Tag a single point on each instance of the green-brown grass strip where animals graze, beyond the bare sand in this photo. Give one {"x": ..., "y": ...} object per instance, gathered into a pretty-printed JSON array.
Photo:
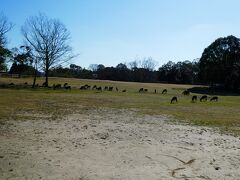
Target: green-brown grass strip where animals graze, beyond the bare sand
[{"x": 26, "y": 103}]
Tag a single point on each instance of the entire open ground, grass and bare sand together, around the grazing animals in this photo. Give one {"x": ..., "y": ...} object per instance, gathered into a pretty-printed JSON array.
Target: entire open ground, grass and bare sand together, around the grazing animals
[{"x": 91, "y": 134}]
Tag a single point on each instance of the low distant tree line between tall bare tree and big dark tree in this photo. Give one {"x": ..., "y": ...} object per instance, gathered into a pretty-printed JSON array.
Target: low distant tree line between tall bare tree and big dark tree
[{"x": 134, "y": 71}]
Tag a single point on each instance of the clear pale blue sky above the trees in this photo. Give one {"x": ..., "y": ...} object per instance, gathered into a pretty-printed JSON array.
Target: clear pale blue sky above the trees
[{"x": 110, "y": 32}]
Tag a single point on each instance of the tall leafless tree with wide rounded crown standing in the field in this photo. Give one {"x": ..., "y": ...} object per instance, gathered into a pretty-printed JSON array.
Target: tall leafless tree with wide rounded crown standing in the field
[{"x": 49, "y": 41}]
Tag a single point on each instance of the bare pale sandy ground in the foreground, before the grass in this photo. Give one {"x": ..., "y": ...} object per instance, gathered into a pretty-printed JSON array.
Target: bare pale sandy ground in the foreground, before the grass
[{"x": 115, "y": 144}]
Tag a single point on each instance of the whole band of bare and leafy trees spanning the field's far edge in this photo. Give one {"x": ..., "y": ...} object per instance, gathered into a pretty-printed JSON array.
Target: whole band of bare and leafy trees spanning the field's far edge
[{"x": 46, "y": 51}]
